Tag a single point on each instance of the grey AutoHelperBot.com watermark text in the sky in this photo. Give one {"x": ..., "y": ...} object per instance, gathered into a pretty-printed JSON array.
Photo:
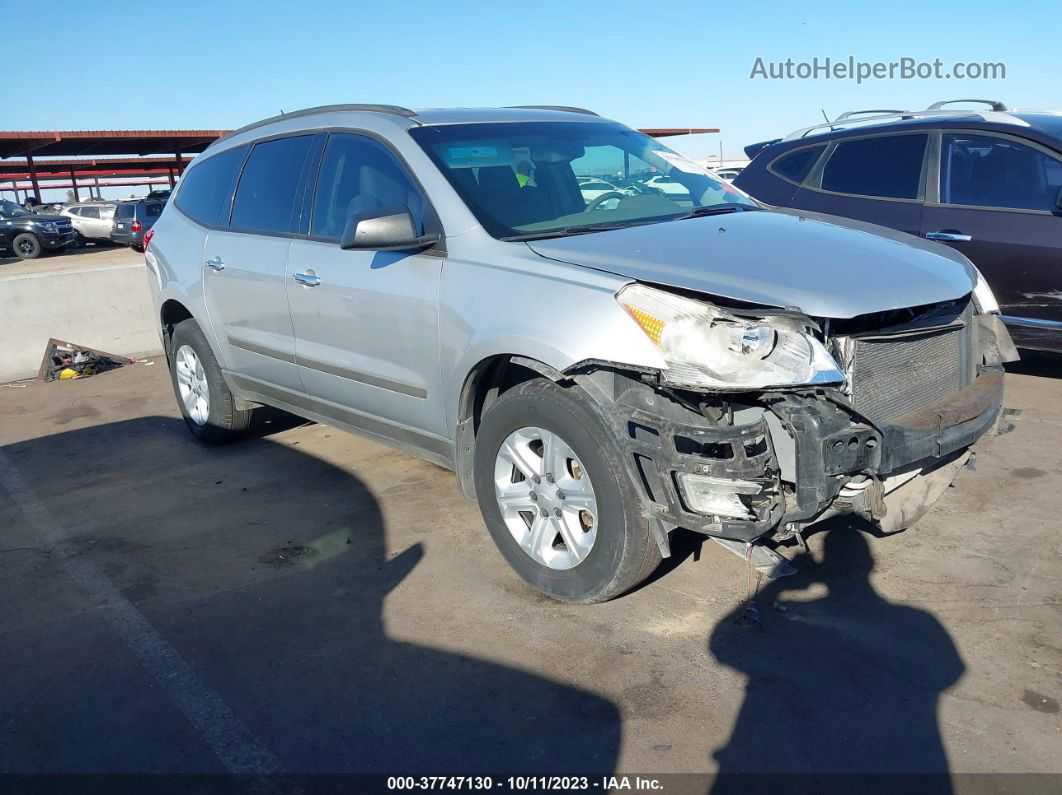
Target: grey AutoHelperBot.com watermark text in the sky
[{"x": 861, "y": 72}]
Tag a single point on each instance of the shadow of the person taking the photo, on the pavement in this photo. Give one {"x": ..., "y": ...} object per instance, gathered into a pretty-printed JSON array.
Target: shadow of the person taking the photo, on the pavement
[{"x": 845, "y": 683}]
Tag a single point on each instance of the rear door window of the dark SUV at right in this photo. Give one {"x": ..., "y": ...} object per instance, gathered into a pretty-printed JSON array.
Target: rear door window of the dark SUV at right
[{"x": 887, "y": 168}]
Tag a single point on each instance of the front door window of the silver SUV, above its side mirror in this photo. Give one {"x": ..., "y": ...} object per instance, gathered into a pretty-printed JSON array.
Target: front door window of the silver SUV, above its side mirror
[{"x": 358, "y": 176}]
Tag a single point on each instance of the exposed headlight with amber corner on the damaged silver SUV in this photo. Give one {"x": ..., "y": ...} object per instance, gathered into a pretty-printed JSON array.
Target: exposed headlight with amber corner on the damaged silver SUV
[{"x": 706, "y": 347}]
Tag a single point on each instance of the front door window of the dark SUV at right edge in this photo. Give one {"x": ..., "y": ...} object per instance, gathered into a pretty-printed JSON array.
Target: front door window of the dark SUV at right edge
[{"x": 986, "y": 171}]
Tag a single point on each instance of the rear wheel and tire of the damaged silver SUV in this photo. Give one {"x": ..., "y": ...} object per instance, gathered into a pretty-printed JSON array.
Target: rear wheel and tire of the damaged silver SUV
[{"x": 204, "y": 399}]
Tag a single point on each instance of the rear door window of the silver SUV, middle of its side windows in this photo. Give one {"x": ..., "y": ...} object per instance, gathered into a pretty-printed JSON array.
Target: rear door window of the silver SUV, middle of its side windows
[{"x": 266, "y": 197}]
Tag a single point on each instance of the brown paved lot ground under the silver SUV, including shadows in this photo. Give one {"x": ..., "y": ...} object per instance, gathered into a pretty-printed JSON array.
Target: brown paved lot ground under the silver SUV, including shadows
[{"x": 307, "y": 601}]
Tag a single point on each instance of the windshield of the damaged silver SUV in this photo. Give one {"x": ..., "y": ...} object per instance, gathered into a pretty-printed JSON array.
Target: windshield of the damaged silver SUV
[{"x": 533, "y": 180}]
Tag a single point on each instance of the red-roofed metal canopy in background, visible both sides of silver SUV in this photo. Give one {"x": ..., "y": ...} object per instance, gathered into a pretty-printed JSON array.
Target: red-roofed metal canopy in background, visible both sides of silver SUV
[{"x": 87, "y": 146}]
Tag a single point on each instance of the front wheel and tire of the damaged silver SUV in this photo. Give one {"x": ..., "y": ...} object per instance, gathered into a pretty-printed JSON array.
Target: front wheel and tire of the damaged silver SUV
[{"x": 577, "y": 533}]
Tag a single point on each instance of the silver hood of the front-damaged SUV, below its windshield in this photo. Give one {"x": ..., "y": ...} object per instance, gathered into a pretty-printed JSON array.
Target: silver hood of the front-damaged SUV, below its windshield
[{"x": 826, "y": 266}]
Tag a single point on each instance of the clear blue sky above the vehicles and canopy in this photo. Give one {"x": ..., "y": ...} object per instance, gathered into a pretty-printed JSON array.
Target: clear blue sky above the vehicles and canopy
[{"x": 212, "y": 65}]
